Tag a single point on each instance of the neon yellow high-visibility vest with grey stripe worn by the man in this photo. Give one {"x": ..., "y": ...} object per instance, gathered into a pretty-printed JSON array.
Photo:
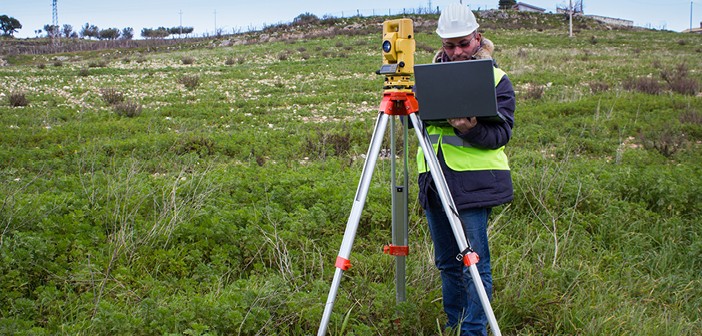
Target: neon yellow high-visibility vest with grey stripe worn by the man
[{"x": 459, "y": 154}]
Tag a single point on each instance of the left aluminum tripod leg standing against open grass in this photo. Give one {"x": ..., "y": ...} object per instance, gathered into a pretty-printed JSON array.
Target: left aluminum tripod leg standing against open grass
[{"x": 354, "y": 218}]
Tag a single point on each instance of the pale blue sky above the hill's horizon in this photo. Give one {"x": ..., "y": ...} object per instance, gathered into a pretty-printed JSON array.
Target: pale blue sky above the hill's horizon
[{"x": 228, "y": 16}]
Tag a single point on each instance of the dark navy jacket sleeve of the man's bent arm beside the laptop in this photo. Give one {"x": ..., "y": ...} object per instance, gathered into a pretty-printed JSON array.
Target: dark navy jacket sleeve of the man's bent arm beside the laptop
[{"x": 493, "y": 135}]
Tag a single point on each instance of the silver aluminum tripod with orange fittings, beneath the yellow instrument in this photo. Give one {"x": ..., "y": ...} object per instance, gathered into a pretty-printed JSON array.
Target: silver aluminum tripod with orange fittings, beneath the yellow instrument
[{"x": 400, "y": 101}]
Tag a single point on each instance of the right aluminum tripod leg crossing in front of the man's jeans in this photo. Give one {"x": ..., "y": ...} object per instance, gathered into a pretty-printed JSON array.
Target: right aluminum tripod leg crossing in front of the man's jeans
[{"x": 452, "y": 214}]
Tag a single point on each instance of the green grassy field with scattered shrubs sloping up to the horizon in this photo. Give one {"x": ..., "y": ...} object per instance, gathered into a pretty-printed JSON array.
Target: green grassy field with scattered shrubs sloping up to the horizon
[{"x": 203, "y": 188}]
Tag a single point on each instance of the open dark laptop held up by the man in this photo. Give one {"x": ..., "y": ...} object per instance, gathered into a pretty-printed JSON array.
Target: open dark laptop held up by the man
[{"x": 455, "y": 90}]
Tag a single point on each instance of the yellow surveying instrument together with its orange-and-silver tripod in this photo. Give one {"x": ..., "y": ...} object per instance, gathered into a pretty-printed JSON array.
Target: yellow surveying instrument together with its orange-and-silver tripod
[{"x": 399, "y": 100}]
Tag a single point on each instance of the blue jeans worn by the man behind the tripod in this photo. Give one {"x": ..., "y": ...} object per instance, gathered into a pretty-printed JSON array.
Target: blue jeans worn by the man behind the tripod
[{"x": 460, "y": 297}]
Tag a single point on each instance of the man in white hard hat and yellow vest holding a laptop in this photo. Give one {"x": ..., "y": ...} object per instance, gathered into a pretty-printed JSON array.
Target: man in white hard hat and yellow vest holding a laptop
[{"x": 476, "y": 170}]
